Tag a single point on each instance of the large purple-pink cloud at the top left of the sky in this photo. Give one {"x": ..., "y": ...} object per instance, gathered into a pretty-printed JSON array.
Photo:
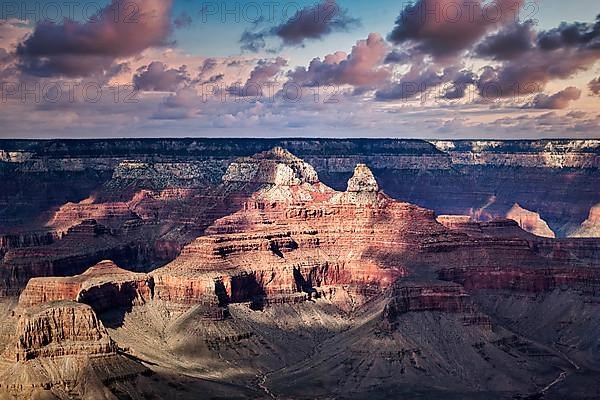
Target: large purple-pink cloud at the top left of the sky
[{"x": 77, "y": 49}]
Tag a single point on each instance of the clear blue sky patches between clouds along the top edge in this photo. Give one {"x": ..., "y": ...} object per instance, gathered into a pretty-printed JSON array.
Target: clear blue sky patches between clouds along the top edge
[{"x": 375, "y": 16}]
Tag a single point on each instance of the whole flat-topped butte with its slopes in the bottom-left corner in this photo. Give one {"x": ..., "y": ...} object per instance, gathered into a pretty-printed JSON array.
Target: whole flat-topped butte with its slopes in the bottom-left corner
[{"x": 61, "y": 350}]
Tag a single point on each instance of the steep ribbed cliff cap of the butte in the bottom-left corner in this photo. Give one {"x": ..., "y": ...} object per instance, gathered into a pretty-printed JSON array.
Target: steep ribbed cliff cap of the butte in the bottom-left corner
[{"x": 60, "y": 329}]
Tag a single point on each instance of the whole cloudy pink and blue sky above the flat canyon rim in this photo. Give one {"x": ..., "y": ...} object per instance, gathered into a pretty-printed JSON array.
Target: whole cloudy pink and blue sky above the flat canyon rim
[{"x": 486, "y": 69}]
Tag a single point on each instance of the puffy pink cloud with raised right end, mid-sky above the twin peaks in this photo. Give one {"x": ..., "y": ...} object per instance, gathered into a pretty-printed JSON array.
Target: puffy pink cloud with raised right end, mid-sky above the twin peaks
[{"x": 362, "y": 67}]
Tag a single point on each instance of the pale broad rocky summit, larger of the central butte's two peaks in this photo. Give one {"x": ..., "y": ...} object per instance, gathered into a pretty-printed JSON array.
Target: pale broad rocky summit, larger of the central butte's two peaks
[{"x": 276, "y": 167}]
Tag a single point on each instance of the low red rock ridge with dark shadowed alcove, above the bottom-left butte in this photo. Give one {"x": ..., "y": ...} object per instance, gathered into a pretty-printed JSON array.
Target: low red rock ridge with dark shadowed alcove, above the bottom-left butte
[{"x": 103, "y": 286}]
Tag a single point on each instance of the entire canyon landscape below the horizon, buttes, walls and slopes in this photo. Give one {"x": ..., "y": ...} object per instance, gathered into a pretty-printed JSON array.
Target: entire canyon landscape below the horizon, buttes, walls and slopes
[{"x": 304, "y": 269}]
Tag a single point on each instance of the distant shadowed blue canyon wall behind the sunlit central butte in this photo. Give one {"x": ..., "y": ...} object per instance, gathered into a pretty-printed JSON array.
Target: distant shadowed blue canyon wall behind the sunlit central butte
[{"x": 555, "y": 178}]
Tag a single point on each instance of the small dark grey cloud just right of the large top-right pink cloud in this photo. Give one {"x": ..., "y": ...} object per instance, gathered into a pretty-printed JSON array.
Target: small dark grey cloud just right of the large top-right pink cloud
[{"x": 508, "y": 43}]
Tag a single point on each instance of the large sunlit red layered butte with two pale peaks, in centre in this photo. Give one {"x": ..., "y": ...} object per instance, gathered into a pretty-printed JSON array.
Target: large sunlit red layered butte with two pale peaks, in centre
[{"x": 295, "y": 235}]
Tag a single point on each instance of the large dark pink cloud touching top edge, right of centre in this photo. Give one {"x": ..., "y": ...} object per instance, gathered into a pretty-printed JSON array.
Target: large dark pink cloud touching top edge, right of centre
[{"x": 446, "y": 28}]
